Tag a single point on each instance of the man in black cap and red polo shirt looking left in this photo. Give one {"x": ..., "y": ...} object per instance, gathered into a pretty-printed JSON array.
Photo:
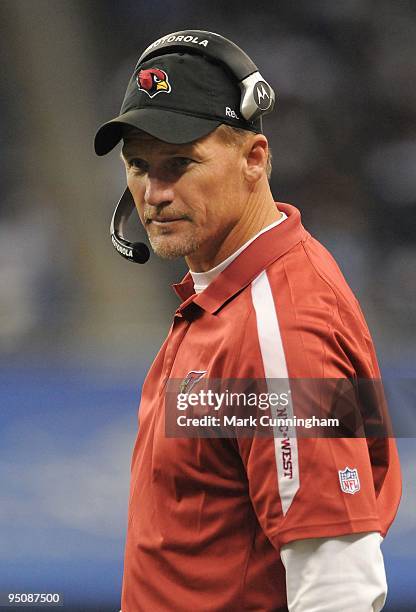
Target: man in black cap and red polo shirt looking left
[{"x": 243, "y": 523}]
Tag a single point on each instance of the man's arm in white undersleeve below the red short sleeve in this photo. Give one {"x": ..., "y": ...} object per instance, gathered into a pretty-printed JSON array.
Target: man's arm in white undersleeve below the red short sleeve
[{"x": 336, "y": 574}]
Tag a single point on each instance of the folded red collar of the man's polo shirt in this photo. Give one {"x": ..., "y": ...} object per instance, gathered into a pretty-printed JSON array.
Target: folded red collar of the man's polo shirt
[{"x": 258, "y": 255}]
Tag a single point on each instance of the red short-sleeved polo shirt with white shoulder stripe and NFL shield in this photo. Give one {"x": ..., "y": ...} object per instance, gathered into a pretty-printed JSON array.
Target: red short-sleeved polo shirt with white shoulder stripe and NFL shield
[{"x": 207, "y": 517}]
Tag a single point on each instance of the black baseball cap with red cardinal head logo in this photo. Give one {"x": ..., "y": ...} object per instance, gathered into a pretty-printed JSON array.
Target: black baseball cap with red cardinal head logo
[{"x": 177, "y": 98}]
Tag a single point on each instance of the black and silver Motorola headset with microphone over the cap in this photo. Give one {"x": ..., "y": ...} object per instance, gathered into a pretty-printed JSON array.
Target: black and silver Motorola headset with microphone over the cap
[{"x": 257, "y": 99}]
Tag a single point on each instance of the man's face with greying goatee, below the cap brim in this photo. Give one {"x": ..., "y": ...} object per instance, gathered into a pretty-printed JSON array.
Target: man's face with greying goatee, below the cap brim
[{"x": 188, "y": 197}]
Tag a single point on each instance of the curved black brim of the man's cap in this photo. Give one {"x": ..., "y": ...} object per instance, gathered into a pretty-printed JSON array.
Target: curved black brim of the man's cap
[{"x": 165, "y": 125}]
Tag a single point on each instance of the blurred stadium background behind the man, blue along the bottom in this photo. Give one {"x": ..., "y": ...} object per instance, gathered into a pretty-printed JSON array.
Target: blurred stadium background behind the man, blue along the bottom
[{"x": 79, "y": 326}]
